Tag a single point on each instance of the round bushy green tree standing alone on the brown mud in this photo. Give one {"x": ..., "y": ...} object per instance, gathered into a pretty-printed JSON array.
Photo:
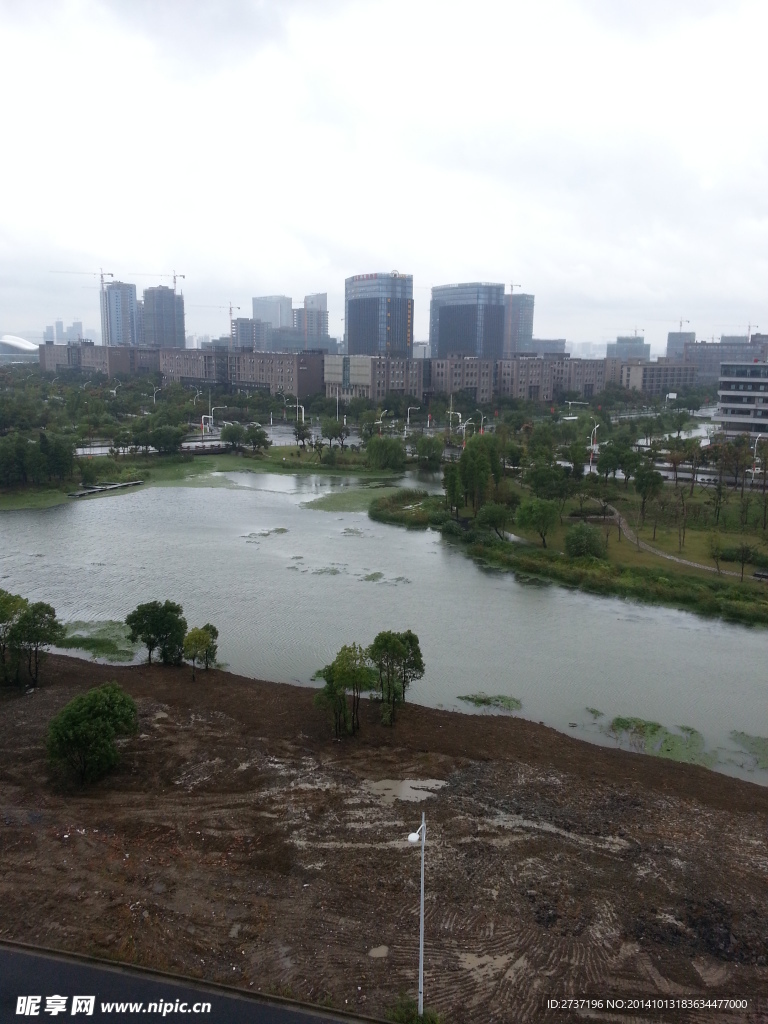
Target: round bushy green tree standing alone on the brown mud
[{"x": 82, "y": 736}]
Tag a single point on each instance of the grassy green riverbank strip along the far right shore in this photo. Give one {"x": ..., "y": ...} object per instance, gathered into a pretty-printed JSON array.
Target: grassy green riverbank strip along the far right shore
[{"x": 671, "y": 583}]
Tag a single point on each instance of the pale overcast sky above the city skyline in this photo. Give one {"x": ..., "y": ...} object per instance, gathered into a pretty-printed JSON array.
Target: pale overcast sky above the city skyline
[{"x": 608, "y": 156}]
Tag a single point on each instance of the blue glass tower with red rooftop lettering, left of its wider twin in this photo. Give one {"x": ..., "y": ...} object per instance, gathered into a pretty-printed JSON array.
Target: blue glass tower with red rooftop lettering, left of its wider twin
[{"x": 379, "y": 315}]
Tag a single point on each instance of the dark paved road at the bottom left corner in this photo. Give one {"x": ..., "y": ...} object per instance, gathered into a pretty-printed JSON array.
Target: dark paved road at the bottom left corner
[{"x": 25, "y": 974}]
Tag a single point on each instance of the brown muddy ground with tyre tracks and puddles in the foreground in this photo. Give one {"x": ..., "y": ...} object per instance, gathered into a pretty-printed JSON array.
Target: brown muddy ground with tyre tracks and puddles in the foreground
[{"x": 239, "y": 843}]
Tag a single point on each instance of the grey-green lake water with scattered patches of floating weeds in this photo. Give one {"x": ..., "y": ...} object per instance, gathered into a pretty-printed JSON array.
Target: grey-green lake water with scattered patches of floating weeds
[{"x": 287, "y": 584}]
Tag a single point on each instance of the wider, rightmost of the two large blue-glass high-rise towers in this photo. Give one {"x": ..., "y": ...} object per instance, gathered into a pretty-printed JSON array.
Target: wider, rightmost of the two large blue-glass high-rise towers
[{"x": 467, "y": 320}]
